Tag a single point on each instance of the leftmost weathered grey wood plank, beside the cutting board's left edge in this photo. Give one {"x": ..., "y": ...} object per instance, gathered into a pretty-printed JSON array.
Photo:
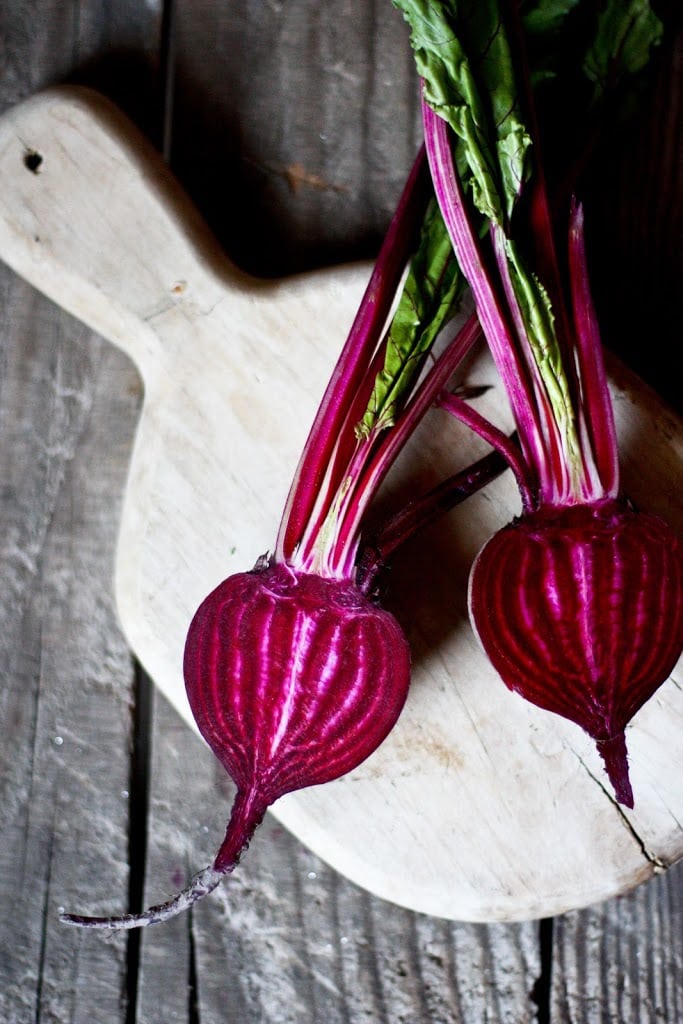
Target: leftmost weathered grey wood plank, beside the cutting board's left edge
[{"x": 68, "y": 411}]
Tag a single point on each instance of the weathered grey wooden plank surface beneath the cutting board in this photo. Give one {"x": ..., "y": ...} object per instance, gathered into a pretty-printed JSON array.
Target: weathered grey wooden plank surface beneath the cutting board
[{"x": 291, "y": 123}]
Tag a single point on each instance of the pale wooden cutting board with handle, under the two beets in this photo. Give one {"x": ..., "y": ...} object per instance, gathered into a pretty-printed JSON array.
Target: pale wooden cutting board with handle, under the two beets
[{"x": 479, "y": 806}]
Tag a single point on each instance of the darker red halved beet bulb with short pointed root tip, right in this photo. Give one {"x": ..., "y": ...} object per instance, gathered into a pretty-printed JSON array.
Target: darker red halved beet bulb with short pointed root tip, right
[{"x": 581, "y": 612}]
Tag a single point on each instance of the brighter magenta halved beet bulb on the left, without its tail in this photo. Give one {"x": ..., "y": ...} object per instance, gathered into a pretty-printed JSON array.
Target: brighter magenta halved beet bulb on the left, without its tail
[{"x": 293, "y": 679}]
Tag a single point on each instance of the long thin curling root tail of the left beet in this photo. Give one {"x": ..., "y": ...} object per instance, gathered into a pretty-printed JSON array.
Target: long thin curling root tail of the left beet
[{"x": 247, "y": 815}]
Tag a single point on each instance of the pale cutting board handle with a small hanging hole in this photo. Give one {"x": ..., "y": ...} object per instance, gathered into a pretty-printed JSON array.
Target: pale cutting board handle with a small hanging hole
[{"x": 92, "y": 217}]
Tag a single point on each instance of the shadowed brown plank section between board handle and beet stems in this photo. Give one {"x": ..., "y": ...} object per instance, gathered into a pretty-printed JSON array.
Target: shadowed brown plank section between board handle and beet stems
[{"x": 295, "y": 125}]
